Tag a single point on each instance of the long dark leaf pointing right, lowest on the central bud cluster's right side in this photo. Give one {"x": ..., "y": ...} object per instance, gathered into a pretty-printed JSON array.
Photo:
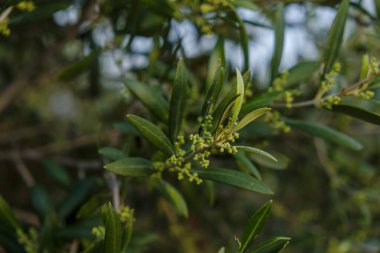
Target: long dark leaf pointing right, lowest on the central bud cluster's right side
[{"x": 234, "y": 178}]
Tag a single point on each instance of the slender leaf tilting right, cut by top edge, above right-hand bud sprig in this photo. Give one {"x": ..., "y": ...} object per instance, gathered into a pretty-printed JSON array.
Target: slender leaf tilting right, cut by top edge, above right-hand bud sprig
[{"x": 335, "y": 36}]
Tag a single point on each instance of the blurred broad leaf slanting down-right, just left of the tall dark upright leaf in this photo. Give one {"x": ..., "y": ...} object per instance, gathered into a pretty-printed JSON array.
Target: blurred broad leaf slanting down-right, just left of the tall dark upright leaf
[{"x": 154, "y": 102}]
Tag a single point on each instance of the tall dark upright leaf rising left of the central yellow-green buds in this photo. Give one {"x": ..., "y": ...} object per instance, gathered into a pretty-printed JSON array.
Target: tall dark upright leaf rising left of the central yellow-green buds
[{"x": 178, "y": 101}]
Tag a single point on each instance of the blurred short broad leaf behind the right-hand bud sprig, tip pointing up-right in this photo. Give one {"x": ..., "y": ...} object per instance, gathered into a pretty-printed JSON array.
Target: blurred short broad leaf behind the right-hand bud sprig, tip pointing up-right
[{"x": 301, "y": 72}]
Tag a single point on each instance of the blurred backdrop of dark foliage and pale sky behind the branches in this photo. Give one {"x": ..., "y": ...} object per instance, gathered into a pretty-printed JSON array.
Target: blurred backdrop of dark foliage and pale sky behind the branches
[{"x": 61, "y": 99}]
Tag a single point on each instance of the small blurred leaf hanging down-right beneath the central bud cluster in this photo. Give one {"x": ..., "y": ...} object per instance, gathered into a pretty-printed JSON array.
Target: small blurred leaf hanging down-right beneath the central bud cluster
[{"x": 174, "y": 197}]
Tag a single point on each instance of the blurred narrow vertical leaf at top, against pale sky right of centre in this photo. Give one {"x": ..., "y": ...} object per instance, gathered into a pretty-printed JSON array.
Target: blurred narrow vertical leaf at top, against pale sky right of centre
[{"x": 279, "y": 29}]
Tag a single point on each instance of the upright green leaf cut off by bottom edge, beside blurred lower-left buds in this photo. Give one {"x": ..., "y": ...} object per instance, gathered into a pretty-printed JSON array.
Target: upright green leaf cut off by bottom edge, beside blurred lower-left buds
[{"x": 112, "y": 239}]
